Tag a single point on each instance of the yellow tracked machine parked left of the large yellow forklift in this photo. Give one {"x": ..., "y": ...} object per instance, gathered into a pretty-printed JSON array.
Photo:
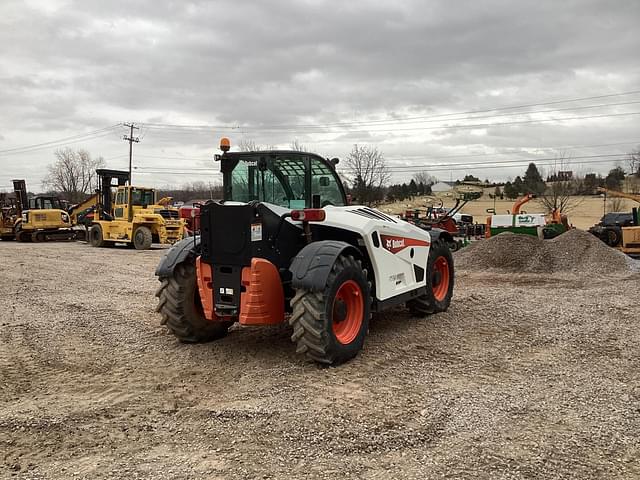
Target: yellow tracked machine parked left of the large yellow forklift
[{"x": 41, "y": 218}]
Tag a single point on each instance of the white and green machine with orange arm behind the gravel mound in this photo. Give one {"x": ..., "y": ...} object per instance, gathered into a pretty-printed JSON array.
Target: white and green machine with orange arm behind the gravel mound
[{"x": 519, "y": 221}]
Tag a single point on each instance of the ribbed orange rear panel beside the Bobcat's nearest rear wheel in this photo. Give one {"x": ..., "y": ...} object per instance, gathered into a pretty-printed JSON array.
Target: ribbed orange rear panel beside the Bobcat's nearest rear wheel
[{"x": 262, "y": 302}]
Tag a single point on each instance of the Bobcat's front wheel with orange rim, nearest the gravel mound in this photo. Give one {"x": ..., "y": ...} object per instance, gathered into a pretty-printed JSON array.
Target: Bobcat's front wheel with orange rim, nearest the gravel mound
[{"x": 438, "y": 297}]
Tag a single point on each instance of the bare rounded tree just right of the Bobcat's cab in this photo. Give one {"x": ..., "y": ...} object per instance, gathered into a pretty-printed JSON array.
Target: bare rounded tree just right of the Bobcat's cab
[{"x": 368, "y": 172}]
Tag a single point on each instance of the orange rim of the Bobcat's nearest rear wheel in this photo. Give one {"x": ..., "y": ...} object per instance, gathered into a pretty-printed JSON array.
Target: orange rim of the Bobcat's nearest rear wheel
[{"x": 347, "y": 312}]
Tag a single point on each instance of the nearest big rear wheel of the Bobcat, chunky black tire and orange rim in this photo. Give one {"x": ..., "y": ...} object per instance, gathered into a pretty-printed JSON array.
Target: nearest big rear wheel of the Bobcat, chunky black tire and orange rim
[{"x": 317, "y": 316}]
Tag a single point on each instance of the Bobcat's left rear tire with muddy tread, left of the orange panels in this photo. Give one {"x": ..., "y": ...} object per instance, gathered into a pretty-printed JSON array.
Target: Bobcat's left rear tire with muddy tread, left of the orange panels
[{"x": 181, "y": 309}]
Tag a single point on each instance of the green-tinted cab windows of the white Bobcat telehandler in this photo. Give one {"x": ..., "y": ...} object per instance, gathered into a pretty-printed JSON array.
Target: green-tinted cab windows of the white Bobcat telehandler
[{"x": 288, "y": 180}]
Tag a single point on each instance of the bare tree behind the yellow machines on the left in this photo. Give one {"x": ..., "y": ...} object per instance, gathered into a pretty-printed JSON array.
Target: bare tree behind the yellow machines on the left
[{"x": 73, "y": 174}]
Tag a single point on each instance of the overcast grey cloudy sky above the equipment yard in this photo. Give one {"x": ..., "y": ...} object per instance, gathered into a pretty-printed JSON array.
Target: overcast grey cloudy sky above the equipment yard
[{"x": 452, "y": 88}]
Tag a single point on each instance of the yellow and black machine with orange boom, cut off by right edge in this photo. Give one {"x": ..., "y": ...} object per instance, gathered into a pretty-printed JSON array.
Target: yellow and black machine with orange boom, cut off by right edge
[{"x": 625, "y": 236}]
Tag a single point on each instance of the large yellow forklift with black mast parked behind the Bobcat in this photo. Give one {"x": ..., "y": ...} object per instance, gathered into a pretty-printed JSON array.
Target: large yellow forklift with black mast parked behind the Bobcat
[{"x": 132, "y": 215}]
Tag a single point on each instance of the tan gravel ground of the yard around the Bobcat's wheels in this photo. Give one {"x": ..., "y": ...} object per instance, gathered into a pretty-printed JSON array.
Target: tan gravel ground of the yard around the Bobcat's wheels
[{"x": 528, "y": 375}]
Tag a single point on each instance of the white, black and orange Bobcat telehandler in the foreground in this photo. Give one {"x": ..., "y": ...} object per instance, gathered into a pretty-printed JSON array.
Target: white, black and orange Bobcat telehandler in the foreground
[{"x": 284, "y": 244}]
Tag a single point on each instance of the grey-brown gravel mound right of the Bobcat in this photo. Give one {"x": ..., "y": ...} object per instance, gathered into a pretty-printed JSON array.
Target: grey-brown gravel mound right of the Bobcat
[{"x": 575, "y": 251}]
